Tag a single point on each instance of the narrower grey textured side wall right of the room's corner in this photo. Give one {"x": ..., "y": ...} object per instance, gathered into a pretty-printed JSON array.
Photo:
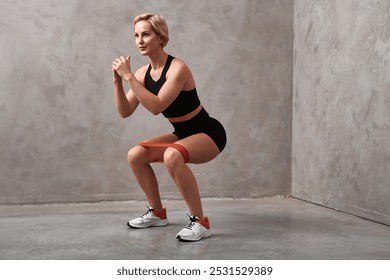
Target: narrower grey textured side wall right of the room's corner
[{"x": 341, "y": 108}]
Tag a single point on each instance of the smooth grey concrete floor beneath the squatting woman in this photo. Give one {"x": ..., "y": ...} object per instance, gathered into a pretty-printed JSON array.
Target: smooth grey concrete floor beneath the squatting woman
[{"x": 243, "y": 229}]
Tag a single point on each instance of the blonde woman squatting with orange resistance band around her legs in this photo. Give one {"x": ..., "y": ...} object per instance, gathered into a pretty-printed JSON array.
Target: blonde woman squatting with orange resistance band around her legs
[{"x": 166, "y": 86}]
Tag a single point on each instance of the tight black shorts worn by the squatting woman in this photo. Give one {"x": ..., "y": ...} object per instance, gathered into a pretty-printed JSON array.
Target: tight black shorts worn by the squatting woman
[{"x": 202, "y": 123}]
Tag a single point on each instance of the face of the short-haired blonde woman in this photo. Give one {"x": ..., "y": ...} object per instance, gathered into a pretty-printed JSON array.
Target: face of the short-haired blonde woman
[{"x": 146, "y": 39}]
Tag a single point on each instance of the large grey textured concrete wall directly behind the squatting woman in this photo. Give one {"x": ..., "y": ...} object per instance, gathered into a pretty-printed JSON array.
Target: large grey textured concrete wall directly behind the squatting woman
[{"x": 61, "y": 138}]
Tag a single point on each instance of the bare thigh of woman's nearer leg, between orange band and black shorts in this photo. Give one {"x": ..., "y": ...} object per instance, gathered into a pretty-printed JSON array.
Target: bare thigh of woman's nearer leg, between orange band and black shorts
[{"x": 200, "y": 147}]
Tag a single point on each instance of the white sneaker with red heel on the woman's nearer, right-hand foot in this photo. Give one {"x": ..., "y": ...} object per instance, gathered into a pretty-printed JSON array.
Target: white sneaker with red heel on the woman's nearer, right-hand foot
[{"x": 195, "y": 230}]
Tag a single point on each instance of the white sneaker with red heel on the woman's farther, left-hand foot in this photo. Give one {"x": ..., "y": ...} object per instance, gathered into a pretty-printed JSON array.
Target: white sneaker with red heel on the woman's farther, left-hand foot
[{"x": 151, "y": 218}]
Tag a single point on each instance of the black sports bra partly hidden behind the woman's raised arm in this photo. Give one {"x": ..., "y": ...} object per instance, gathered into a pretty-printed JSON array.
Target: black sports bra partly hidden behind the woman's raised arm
[{"x": 186, "y": 101}]
